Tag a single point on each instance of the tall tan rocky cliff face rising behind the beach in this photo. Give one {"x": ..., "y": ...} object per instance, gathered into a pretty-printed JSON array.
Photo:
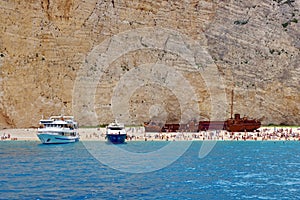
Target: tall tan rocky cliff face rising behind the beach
[{"x": 152, "y": 60}]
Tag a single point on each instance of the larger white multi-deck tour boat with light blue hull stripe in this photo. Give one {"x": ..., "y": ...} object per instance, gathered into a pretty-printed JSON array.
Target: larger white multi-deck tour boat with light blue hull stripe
[{"x": 58, "y": 130}]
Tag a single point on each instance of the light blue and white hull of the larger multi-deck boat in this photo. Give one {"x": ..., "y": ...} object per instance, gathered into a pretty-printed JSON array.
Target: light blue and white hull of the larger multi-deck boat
[{"x": 57, "y": 139}]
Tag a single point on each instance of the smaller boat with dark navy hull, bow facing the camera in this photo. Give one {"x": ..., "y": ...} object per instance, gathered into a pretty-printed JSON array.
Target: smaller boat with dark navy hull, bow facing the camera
[{"x": 116, "y": 133}]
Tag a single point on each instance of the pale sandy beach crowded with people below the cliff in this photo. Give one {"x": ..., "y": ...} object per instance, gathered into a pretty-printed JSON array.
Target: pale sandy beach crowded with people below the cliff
[{"x": 138, "y": 134}]
